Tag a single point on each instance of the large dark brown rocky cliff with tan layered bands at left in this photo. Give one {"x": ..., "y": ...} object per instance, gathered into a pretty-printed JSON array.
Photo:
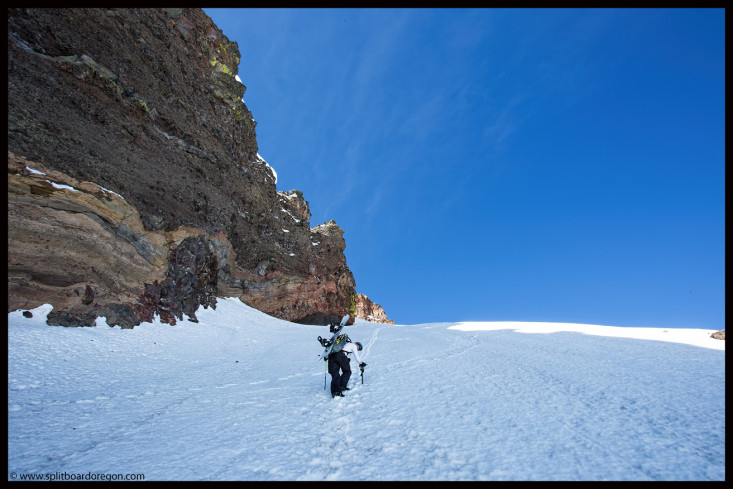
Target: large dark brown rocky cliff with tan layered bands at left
[{"x": 134, "y": 183}]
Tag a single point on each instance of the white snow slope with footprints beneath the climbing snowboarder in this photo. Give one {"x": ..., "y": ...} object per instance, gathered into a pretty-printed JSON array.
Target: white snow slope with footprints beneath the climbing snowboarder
[{"x": 240, "y": 396}]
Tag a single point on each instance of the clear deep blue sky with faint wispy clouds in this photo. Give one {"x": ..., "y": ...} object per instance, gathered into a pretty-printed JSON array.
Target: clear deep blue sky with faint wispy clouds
[{"x": 560, "y": 165}]
